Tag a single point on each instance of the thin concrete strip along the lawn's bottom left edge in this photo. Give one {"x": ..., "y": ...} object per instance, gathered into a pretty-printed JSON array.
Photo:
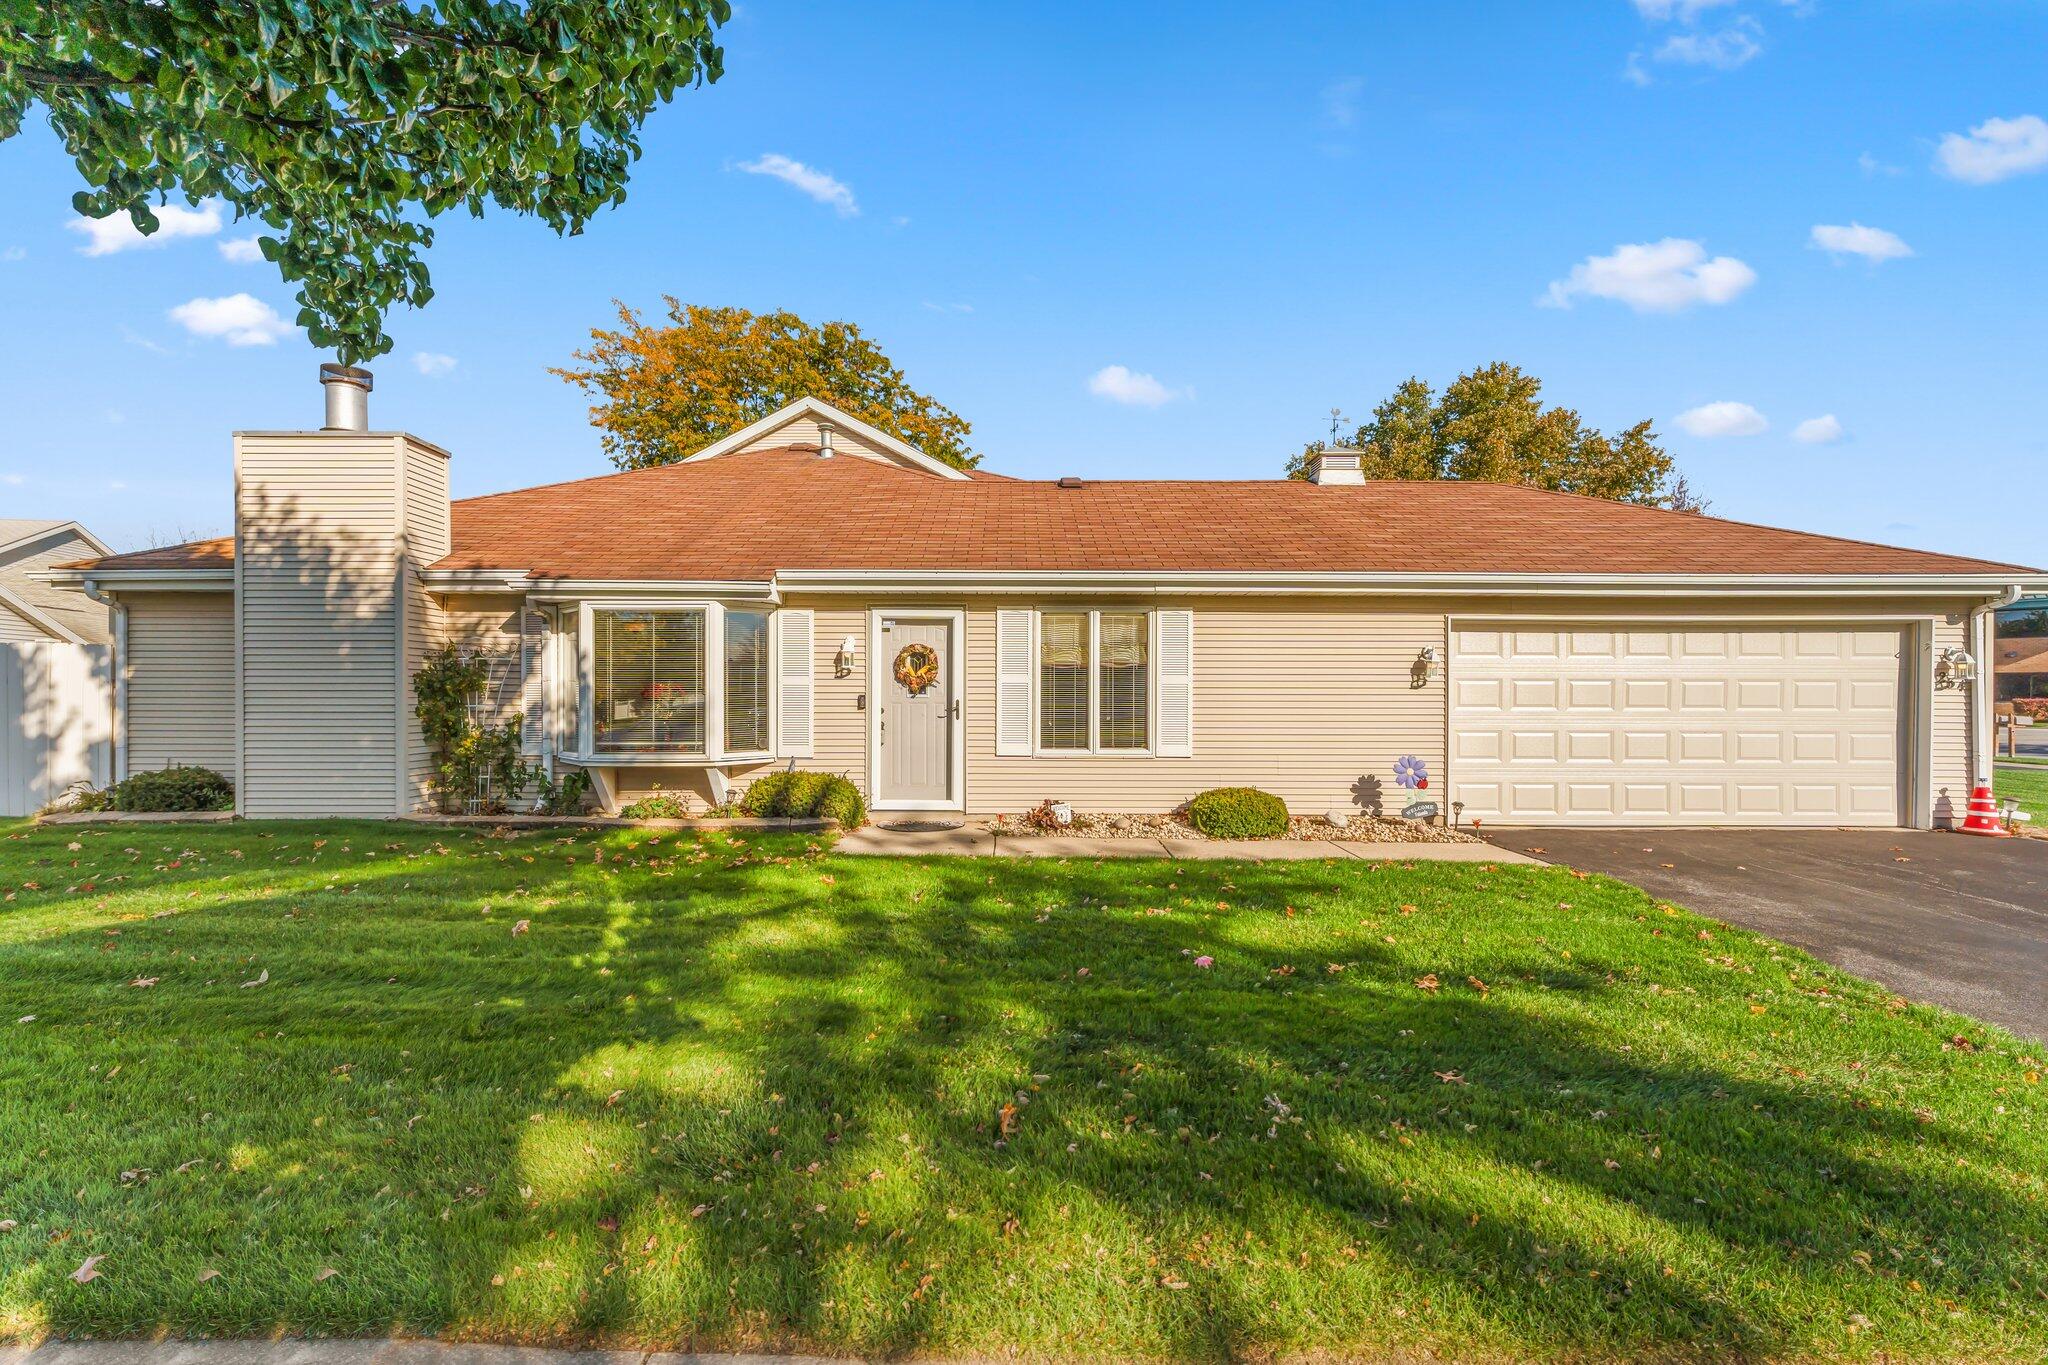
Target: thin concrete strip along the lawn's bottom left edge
[{"x": 298, "y": 1352}]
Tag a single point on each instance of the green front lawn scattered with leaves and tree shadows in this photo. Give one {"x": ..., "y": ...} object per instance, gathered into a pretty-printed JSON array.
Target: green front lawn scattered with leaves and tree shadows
[{"x": 742, "y": 1094}]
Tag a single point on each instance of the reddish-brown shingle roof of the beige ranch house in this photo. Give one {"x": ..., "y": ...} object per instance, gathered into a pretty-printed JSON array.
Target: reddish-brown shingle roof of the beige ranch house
[{"x": 749, "y": 517}]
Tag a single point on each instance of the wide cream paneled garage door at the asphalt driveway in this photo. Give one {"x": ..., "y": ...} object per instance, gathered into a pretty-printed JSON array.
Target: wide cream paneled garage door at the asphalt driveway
[{"x": 1656, "y": 725}]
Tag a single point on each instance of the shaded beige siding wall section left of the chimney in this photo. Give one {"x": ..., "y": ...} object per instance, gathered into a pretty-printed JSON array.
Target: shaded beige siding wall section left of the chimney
[{"x": 181, "y": 680}]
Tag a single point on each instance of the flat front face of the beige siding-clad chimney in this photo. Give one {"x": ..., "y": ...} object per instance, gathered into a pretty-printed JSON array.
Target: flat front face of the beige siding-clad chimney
[{"x": 318, "y": 637}]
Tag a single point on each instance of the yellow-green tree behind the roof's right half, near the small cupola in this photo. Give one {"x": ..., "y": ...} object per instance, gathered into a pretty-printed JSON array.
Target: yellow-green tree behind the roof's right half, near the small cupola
[{"x": 1492, "y": 425}]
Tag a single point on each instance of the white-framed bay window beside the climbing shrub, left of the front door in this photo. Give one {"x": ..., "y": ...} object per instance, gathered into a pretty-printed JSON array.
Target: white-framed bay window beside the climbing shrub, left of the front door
[{"x": 685, "y": 682}]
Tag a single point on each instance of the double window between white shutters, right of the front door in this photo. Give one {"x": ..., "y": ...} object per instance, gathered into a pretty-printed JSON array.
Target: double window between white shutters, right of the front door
[{"x": 1095, "y": 682}]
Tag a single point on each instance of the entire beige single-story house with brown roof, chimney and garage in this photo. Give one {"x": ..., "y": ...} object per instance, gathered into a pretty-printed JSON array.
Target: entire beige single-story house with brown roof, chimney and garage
[{"x": 816, "y": 592}]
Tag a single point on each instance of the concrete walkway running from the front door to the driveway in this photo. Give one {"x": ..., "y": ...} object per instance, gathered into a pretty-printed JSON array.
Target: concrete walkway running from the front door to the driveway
[{"x": 982, "y": 842}]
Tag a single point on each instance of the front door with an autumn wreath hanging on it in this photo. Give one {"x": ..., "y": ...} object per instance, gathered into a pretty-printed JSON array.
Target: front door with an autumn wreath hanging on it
[{"x": 916, "y": 711}]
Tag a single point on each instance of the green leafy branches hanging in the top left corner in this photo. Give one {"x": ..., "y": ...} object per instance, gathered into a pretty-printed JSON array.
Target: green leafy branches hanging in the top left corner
[{"x": 341, "y": 124}]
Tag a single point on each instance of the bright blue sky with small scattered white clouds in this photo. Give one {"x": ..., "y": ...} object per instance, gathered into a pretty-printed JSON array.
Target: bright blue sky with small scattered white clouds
[{"x": 1256, "y": 214}]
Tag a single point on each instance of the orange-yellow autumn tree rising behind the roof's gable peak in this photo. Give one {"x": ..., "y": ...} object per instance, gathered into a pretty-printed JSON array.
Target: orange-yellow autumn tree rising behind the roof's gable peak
[{"x": 665, "y": 392}]
